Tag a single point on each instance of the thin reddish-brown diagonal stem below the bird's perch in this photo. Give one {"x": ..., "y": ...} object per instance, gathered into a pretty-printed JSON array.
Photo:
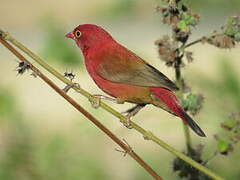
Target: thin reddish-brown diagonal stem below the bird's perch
[{"x": 123, "y": 145}]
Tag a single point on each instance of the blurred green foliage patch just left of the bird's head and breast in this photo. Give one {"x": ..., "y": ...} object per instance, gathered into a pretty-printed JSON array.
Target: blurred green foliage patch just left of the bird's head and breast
[{"x": 58, "y": 48}]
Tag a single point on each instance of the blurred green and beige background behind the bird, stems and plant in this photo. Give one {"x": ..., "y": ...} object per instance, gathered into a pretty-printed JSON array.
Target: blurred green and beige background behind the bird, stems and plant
[{"x": 43, "y": 137}]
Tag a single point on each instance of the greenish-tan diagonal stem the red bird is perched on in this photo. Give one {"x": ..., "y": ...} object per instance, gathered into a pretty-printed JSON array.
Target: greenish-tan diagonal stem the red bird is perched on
[{"x": 147, "y": 134}]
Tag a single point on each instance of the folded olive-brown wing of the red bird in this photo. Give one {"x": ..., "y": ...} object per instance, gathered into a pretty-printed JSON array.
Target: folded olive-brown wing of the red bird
[{"x": 123, "y": 66}]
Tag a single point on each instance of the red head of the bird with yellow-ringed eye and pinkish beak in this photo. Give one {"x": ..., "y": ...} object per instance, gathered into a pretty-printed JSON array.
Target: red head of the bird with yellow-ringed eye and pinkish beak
[{"x": 89, "y": 35}]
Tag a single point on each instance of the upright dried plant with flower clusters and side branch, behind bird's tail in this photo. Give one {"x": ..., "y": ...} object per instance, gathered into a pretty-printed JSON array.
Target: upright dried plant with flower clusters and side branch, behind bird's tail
[{"x": 172, "y": 50}]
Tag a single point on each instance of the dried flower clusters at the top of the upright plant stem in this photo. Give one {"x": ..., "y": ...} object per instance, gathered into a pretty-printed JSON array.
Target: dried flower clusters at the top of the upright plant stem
[{"x": 181, "y": 20}]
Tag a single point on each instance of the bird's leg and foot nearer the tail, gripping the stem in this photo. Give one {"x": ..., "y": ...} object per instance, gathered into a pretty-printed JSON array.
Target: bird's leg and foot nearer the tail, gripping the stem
[{"x": 130, "y": 113}]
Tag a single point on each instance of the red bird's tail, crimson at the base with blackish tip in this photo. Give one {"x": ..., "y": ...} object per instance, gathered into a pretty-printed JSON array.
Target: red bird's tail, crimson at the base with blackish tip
[{"x": 170, "y": 100}]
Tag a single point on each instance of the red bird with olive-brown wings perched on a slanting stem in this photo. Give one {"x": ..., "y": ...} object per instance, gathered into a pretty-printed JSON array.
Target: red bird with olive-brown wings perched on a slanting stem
[{"x": 124, "y": 75}]
